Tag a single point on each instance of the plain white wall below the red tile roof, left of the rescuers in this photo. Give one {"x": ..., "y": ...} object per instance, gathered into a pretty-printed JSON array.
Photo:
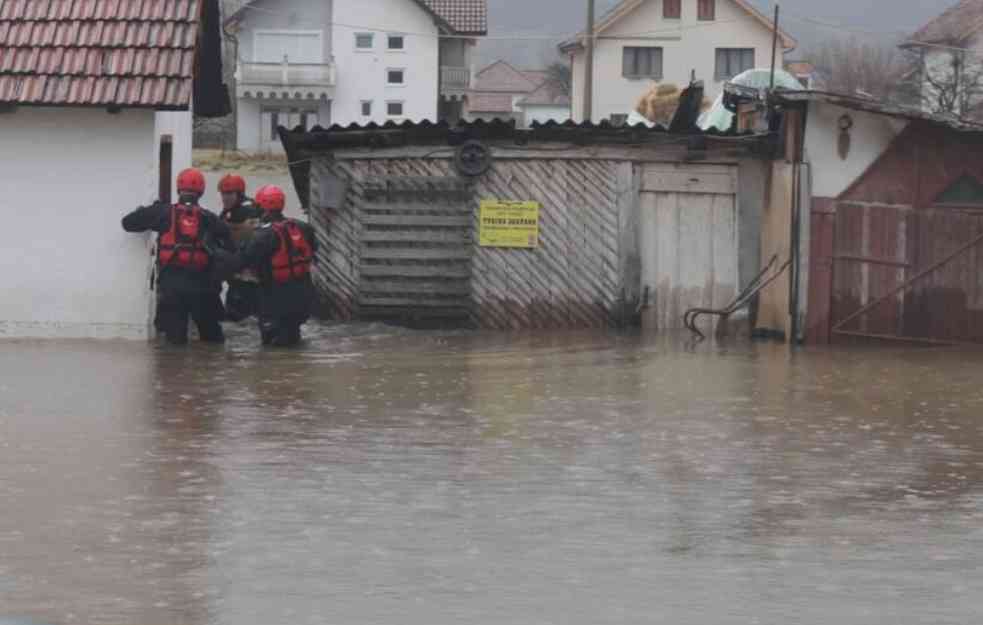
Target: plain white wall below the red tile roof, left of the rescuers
[{"x": 69, "y": 175}]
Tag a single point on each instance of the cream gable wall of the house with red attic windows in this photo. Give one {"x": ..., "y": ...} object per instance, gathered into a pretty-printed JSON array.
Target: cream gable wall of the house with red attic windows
[{"x": 688, "y": 44}]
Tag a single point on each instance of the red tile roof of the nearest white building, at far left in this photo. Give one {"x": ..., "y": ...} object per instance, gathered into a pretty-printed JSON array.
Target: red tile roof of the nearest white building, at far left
[{"x": 133, "y": 53}]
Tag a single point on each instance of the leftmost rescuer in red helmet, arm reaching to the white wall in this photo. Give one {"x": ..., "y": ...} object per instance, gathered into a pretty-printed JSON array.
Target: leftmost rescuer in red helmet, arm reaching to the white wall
[{"x": 188, "y": 239}]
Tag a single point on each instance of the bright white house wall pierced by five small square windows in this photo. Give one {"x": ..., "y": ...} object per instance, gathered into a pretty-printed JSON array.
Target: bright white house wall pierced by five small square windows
[{"x": 362, "y": 75}]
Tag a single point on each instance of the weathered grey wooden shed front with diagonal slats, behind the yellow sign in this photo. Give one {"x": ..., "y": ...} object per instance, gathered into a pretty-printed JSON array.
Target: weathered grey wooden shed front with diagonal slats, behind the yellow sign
[{"x": 625, "y": 237}]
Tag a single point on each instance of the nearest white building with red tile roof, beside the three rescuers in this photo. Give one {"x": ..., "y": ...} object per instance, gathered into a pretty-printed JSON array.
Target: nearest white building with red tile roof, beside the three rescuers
[{"x": 91, "y": 97}]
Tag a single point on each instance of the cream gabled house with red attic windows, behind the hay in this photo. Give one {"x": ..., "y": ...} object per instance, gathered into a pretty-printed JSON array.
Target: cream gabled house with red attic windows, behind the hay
[{"x": 670, "y": 41}]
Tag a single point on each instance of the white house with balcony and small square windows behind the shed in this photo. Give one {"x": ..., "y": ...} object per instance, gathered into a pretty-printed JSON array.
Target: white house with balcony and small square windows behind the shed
[{"x": 325, "y": 62}]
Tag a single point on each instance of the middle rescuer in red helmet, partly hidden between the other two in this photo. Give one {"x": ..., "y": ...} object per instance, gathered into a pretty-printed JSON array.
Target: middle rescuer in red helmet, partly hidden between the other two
[{"x": 243, "y": 217}]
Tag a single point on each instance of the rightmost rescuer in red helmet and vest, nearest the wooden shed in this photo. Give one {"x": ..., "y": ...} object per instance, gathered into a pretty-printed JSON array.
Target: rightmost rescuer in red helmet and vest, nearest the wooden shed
[{"x": 282, "y": 252}]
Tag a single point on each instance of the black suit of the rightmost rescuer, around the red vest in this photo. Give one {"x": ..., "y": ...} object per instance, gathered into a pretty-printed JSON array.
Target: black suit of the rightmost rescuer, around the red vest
[{"x": 278, "y": 300}]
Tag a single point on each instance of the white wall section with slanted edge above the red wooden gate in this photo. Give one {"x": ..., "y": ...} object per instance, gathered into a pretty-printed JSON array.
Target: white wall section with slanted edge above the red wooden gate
[{"x": 870, "y": 136}]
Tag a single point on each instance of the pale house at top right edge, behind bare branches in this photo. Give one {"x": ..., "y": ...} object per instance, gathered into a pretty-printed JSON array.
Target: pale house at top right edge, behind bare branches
[{"x": 949, "y": 51}]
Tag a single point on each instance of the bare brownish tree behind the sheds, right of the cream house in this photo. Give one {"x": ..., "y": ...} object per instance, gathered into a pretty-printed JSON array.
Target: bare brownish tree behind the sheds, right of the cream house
[{"x": 853, "y": 67}]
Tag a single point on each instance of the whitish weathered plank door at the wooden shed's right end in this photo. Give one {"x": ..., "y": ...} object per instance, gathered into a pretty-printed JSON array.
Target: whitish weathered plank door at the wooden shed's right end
[{"x": 689, "y": 240}]
